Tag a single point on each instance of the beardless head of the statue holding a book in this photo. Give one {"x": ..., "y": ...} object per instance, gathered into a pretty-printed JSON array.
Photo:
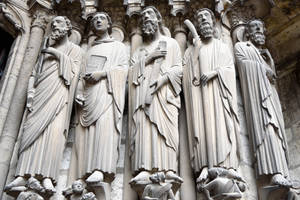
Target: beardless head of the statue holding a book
[{"x": 101, "y": 23}]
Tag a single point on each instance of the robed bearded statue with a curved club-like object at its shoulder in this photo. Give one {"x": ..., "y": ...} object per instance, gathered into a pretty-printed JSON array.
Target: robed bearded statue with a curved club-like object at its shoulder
[{"x": 210, "y": 94}]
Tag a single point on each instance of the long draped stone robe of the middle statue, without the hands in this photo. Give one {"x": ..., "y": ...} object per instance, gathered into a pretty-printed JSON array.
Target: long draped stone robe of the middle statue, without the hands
[{"x": 154, "y": 132}]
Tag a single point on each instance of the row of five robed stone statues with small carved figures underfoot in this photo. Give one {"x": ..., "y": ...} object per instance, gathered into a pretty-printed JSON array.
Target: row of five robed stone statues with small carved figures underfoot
[{"x": 96, "y": 82}]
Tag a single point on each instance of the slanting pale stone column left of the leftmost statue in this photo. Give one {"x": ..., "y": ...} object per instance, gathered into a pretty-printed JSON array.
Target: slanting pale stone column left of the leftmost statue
[{"x": 15, "y": 114}]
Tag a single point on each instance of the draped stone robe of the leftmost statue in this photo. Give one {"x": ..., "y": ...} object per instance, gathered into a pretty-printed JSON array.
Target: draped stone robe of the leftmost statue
[{"x": 45, "y": 128}]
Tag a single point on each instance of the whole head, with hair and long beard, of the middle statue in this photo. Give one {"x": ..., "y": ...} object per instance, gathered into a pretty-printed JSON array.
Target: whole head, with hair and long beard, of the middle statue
[{"x": 151, "y": 21}]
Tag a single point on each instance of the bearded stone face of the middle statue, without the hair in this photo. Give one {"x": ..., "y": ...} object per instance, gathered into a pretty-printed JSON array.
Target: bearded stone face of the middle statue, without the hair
[{"x": 149, "y": 22}]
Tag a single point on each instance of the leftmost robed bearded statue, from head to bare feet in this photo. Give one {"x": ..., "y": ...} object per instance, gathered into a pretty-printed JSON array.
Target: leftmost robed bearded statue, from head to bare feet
[{"x": 49, "y": 103}]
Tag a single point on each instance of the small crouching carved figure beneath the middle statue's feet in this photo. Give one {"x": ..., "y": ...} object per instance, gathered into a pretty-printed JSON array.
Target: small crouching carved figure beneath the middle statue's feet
[{"x": 158, "y": 189}]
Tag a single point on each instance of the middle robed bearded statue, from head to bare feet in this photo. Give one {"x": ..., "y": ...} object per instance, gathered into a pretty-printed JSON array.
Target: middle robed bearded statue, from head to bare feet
[{"x": 154, "y": 100}]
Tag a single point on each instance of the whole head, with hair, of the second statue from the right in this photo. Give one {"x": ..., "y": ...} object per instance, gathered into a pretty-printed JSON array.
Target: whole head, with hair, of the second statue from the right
[{"x": 206, "y": 20}]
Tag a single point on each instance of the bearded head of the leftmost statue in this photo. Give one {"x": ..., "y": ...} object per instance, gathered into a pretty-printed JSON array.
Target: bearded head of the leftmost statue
[{"x": 60, "y": 27}]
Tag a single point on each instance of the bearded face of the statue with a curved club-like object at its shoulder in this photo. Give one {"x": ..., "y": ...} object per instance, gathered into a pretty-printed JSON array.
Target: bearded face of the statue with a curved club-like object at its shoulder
[{"x": 205, "y": 24}]
